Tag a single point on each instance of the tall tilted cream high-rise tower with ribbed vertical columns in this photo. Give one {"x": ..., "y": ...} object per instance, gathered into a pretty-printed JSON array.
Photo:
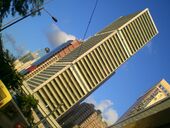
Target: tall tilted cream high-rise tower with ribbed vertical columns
[{"x": 69, "y": 80}]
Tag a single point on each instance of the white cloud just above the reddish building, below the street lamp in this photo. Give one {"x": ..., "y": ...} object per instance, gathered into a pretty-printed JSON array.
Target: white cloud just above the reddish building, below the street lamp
[{"x": 57, "y": 37}]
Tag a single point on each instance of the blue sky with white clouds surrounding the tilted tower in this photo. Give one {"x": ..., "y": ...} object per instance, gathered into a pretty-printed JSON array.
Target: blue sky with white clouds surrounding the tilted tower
[{"x": 133, "y": 78}]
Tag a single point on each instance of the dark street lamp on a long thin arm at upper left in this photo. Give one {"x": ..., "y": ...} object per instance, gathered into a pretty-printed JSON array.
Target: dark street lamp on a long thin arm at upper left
[{"x": 27, "y": 15}]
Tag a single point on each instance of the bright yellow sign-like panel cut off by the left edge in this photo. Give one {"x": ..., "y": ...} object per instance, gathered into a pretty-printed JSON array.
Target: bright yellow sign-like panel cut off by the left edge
[{"x": 5, "y": 96}]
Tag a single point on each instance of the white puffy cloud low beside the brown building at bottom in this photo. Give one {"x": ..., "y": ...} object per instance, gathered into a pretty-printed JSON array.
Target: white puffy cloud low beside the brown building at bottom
[{"x": 109, "y": 114}]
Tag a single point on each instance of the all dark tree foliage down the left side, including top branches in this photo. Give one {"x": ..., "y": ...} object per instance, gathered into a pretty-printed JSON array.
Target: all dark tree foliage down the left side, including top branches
[{"x": 11, "y": 78}]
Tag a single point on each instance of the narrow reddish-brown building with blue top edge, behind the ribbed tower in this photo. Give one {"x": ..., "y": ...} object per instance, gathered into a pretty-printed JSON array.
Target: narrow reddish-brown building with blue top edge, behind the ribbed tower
[{"x": 45, "y": 61}]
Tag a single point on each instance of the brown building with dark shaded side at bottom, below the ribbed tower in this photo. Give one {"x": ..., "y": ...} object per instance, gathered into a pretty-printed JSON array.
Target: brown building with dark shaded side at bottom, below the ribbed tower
[{"x": 82, "y": 116}]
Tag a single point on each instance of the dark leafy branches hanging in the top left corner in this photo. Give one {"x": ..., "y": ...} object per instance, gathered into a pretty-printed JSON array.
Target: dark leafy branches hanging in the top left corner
[{"x": 22, "y": 7}]
